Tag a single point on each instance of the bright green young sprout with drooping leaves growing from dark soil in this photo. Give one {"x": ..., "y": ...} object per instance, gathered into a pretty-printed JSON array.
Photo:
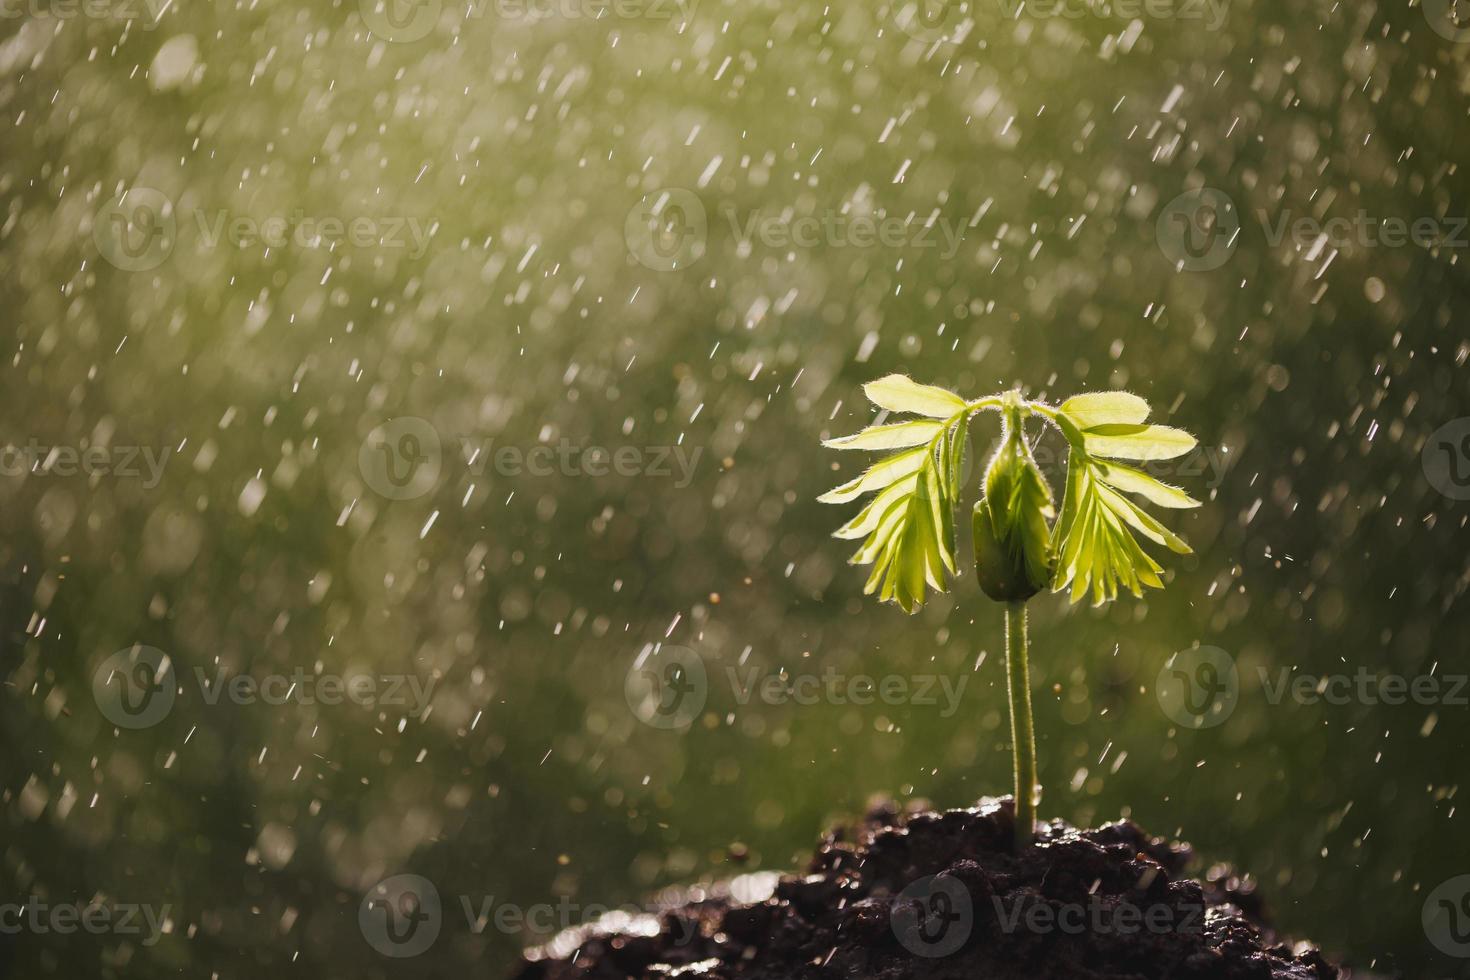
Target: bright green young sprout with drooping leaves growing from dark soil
[{"x": 1022, "y": 544}]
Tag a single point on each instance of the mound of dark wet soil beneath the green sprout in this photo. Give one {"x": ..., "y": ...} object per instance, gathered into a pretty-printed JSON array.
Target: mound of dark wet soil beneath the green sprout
[{"x": 937, "y": 896}]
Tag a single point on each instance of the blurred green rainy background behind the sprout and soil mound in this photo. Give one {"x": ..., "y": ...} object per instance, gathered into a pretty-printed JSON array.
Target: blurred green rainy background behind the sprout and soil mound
[{"x": 520, "y": 146}]
